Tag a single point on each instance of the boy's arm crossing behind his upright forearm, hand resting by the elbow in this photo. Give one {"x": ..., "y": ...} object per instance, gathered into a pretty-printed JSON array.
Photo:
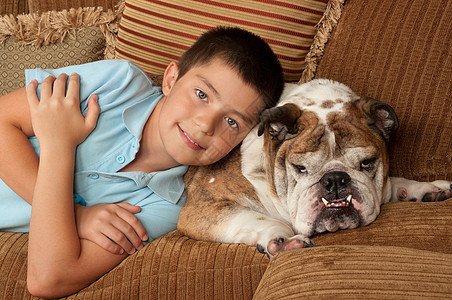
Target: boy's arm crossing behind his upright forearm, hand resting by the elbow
[{"x": 19, "y": 168}]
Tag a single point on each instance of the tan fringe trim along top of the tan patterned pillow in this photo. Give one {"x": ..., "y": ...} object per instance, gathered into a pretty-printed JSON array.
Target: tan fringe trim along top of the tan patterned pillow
[{"x": 53, "y": 26}]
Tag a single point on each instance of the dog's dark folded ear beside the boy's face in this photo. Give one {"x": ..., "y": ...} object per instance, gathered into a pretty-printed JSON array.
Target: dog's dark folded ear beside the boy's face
[{"x": 280, "y": 121}]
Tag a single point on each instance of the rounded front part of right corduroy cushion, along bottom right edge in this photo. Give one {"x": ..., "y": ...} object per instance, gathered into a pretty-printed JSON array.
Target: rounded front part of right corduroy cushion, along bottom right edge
[{"x": 357, "y": 272}]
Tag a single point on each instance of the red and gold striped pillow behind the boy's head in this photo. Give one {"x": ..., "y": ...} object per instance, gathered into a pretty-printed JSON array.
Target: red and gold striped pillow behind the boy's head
[{"x": 153, "y": 33}]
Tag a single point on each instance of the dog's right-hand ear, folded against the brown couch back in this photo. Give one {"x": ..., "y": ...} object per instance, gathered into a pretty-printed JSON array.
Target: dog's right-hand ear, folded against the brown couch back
[{"x": 381, "y": 117}]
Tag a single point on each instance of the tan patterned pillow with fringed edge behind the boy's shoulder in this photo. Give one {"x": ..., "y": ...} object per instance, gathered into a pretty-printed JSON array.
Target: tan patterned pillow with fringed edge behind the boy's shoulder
[{"x": 51, "y": 40}]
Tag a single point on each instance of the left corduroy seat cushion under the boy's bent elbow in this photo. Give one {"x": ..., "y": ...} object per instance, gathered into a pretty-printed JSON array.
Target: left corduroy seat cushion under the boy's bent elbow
[{"x": 172, "y": 267}]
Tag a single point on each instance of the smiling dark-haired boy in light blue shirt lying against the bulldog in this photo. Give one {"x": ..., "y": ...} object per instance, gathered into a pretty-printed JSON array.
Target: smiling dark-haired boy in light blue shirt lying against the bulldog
[{"x": 137, "y": 154}]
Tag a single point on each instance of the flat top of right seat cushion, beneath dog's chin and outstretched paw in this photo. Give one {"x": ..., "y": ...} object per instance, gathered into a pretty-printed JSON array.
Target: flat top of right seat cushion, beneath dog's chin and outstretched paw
[{"x": 423, "y": 226}]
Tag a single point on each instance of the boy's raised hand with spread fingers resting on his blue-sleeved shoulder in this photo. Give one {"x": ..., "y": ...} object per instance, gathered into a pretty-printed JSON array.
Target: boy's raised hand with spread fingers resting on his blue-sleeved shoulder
[{"x": 57, "y": 117}]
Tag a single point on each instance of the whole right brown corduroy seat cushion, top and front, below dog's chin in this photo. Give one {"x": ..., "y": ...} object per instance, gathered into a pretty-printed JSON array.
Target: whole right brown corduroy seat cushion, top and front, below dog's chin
[{"x": 406, "y": 252}]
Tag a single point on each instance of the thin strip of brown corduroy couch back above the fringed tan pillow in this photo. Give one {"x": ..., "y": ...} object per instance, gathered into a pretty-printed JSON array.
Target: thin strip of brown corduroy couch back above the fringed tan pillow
[{"x": 40, "y": 6}]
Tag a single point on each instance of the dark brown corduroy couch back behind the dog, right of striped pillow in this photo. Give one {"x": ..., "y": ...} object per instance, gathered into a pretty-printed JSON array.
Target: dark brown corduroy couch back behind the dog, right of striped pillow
[{"x": 399, "y": 52}]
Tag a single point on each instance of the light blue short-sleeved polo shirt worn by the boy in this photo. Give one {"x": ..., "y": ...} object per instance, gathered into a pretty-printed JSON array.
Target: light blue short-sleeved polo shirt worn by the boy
[{"x": 126, "y": 98}]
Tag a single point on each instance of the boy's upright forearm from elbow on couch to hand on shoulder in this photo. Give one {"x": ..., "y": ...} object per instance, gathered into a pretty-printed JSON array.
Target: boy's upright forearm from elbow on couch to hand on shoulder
[{"x": 59, "y": 263}]
